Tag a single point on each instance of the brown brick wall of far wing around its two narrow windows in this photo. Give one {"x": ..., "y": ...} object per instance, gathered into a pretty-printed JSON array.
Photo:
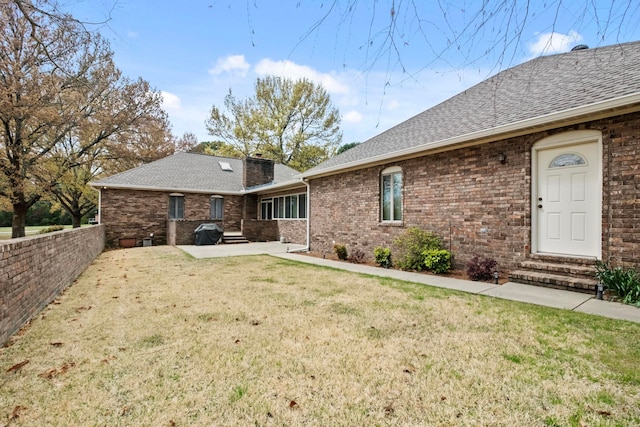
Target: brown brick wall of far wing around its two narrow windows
[{"x": 135, "y": 214}]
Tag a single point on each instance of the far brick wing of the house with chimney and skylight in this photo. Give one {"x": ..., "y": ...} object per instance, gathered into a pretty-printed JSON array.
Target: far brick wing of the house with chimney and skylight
[{"x": 171, "y": 197}]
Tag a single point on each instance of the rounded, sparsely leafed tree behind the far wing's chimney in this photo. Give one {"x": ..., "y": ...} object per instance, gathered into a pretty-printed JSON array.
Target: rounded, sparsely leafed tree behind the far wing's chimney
[{"x": 291, "y": 122}]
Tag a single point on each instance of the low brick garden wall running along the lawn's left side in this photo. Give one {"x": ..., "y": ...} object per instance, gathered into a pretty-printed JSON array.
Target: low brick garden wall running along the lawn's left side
[{"x": 34, "y": 270}]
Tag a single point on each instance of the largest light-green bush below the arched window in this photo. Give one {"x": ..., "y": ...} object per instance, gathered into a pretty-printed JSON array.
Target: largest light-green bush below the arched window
[{"x": 410, "y": 246}]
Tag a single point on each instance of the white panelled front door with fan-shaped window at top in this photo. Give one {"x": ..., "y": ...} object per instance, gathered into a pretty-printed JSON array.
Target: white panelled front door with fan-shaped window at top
[{"x": 568, "y": 201}]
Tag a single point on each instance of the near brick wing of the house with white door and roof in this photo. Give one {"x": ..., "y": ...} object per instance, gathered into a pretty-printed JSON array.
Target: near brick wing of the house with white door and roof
[{"x": 537, "y": 167}]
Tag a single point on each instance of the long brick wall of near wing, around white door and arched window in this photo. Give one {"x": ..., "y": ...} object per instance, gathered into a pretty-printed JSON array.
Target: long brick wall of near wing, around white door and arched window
[{"x": 475, "y": 203}]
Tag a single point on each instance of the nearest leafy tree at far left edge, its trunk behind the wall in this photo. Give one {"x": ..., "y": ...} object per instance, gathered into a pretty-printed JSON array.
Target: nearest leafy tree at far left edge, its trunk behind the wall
[{"x": 43, "y": 63}]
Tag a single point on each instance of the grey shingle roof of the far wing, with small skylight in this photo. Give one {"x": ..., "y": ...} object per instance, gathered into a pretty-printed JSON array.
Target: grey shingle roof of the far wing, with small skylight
[{"x": 190, "y": 172}]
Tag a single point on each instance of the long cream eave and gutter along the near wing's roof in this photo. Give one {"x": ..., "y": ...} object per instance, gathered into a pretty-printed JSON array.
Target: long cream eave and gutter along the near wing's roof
[{"x": 615, "y": 106}]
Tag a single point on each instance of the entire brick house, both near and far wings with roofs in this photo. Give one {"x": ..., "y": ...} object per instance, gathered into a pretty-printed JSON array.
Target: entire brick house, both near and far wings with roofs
[{"x": 537, "y": 167}]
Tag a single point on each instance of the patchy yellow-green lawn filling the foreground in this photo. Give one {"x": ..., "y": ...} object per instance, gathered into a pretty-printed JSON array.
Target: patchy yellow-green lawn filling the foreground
[{"x": 149, "y": 336}]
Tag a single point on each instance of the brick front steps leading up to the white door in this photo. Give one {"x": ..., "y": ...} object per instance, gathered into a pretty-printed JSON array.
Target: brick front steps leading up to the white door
[{"x": 563, "y": 273}]
